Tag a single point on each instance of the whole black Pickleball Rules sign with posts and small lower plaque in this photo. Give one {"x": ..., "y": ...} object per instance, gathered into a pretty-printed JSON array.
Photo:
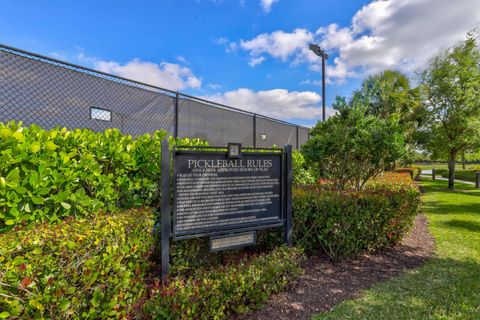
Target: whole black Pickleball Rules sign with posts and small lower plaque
[{"x": 226, "y": 194}]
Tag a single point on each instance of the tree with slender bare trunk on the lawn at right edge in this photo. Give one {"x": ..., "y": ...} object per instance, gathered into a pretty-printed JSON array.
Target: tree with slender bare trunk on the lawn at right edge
[{"x": 451, "y": 88}]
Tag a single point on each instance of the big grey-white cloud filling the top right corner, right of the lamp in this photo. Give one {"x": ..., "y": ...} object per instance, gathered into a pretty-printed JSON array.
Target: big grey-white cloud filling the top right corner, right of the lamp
[{"x": 401, "y": 34}]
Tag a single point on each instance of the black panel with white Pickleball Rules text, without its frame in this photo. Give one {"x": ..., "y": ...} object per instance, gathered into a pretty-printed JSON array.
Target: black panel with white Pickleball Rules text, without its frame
[{"x": 215, "y": 193}]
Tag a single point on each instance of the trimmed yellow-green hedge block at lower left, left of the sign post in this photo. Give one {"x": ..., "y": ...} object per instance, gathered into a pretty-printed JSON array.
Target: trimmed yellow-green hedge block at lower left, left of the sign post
[{"x": 90, "y": 268}]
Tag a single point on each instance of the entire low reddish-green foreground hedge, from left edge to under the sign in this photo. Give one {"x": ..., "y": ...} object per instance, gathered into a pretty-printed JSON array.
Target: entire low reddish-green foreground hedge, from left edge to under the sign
[{"x": 104, "y": 267}]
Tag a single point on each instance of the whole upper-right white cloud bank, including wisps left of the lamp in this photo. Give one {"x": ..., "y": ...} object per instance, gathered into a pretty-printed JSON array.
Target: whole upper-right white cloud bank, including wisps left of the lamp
[{"x": 400, "y": 34}]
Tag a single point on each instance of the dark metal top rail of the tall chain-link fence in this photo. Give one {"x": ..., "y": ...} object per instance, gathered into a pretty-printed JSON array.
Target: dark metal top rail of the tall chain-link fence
[{"x": 77, "y": 68}]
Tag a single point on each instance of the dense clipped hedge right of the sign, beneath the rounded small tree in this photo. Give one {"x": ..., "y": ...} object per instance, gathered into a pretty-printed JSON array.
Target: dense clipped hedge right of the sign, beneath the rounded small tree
[{"x": 343, "y": 223}]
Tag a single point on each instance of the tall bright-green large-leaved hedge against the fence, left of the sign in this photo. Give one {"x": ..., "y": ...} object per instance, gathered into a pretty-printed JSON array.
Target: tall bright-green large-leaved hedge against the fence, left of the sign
[{"x": 45, "y": 175}]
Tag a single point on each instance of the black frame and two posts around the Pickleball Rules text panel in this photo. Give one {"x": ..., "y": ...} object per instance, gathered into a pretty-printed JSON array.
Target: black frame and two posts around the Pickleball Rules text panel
[{"x": 165, "y": 207}]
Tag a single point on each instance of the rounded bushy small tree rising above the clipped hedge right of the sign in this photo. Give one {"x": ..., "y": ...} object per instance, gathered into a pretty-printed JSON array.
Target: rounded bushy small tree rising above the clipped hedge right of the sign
[{"x": 352, "y": 147}]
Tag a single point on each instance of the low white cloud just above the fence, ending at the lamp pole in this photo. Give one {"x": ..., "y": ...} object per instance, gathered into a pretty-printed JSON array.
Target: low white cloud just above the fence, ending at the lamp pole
[{"x": 276, "y": 103}]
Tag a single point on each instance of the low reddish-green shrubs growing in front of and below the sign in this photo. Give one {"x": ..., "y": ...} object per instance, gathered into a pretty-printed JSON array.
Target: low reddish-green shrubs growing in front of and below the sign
[{"x": 225, "y": 290}]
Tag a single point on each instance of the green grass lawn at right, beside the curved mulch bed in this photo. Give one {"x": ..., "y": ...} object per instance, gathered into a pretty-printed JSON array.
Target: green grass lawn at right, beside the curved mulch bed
[{"x": 446, "y": 287}]
